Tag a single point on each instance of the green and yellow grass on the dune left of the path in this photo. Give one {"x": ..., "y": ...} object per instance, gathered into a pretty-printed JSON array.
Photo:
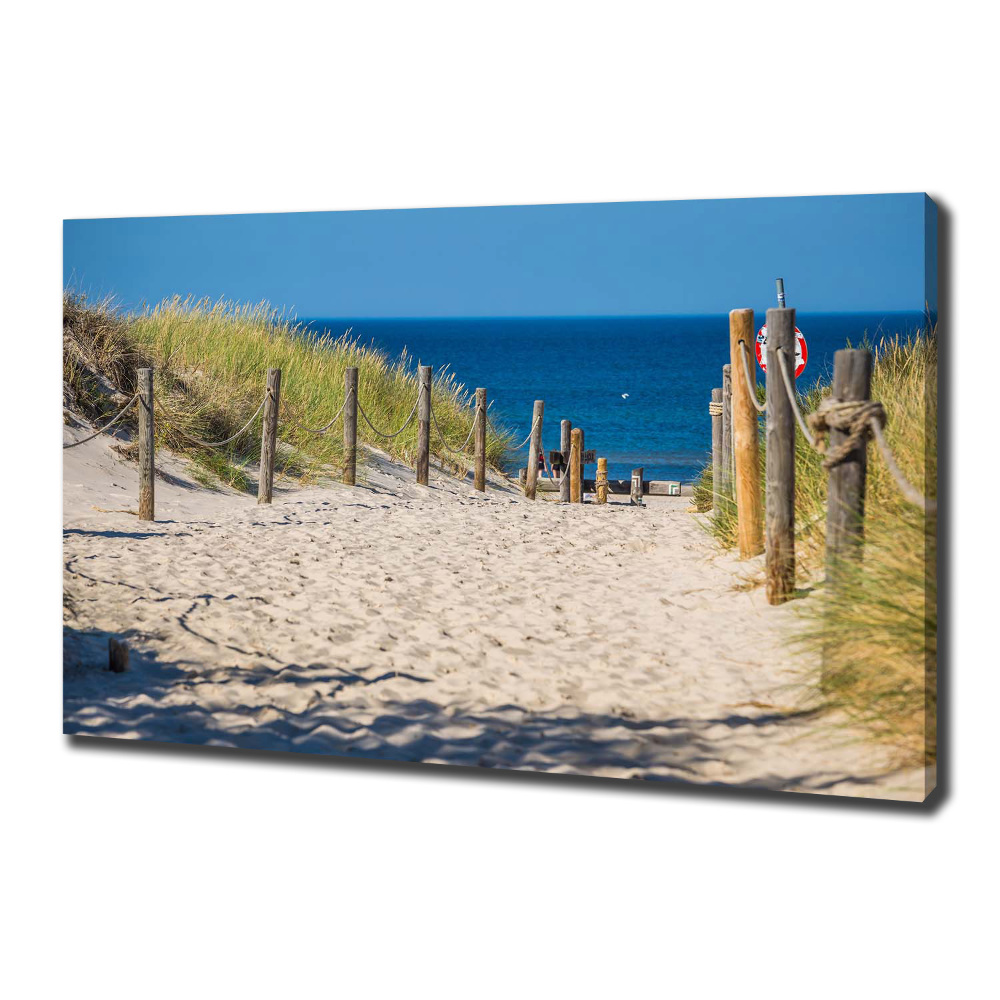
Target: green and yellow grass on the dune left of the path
[{"x": 211, "y": 361}]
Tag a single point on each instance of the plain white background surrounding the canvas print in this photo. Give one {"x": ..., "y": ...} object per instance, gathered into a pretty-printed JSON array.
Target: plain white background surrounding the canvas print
[{"x": 137, "y": 872}]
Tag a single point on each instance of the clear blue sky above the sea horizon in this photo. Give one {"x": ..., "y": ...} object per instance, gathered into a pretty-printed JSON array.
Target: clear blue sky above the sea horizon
[{"x": 860, "y": 253}]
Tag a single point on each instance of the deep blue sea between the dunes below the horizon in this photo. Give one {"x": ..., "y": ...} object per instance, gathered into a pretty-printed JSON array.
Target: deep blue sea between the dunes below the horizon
[{"x": 584, "y": 367}]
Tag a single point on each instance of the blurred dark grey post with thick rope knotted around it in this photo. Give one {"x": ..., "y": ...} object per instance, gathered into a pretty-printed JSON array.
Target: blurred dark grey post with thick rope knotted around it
[{"x": 845, "y": 511}]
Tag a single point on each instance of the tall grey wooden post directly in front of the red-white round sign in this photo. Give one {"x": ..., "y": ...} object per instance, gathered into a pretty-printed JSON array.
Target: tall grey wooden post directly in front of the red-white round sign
[{"x": 779, "y": 456}]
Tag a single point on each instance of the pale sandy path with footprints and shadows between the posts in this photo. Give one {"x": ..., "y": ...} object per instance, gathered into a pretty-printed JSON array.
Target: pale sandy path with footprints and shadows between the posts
[{"x": 439, "y": 625}]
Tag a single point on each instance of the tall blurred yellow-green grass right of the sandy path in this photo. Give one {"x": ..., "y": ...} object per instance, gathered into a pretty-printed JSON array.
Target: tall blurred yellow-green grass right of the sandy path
[{"x": 877, "y": 629}]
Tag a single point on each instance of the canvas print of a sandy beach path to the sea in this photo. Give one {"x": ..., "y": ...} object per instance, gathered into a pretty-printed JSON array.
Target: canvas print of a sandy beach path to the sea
[{"x": 635, "y": 490}]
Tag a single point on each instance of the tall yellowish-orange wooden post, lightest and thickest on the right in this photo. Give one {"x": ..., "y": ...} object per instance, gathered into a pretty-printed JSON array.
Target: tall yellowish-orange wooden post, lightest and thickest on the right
[{"x": 746, "y": 448}]
